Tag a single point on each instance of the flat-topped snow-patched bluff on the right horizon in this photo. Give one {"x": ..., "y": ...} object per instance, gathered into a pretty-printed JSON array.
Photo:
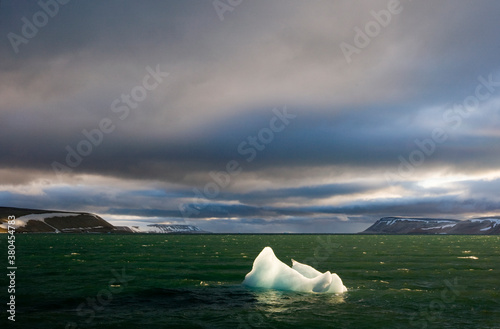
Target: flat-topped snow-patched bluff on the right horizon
[{"x": 400, "y": 225}]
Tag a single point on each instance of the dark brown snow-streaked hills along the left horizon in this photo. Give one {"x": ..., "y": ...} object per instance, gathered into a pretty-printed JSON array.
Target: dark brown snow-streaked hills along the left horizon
[{"x": 53, "y": 221}]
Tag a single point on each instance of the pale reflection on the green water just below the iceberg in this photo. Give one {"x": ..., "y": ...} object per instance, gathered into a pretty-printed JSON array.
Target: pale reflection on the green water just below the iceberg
[{"x": 274, "y": 301}]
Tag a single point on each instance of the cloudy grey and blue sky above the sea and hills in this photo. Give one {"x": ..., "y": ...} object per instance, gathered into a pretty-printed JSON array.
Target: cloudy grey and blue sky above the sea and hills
[{"x": 251, "y": 116}]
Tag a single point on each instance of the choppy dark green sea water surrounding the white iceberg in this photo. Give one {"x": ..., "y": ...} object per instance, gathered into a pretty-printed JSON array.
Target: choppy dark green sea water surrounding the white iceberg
[{"x": 193, "y": 281}]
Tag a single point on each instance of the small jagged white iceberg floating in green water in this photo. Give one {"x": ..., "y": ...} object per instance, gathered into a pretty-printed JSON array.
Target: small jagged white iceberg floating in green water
[{"x": 269, "y": 272}]
